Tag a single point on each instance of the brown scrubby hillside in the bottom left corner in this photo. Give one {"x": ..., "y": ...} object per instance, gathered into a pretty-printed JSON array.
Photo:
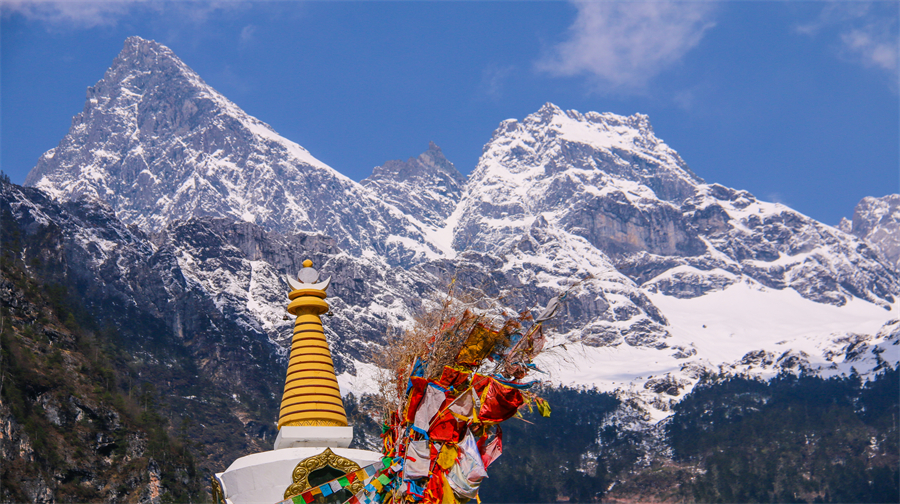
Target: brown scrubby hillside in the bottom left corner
[{"x": 67, "y": 430}]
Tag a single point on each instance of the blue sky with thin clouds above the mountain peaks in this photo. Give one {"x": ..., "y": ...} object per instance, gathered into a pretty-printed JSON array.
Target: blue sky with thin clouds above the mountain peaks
[{"x": 795, "y": 102}]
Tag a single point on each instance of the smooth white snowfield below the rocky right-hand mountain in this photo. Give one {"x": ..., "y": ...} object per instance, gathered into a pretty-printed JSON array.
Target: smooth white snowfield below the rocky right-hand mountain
[{"x": 745, "y": 328}]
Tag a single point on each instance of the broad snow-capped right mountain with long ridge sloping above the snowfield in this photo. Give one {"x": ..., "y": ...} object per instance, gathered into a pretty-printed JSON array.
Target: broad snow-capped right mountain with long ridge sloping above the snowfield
[{"x": 608, "y": 179}]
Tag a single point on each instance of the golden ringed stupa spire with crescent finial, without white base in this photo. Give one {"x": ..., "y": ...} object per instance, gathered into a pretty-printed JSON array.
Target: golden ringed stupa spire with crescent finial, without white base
[{"x": 311, "y": 394}]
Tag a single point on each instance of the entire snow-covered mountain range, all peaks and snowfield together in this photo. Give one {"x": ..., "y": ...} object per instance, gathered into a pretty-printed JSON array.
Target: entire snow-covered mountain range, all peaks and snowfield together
[{"x": 676, "y": 275}]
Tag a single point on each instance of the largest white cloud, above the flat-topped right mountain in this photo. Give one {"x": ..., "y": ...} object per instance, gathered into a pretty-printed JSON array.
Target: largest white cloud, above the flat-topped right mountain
[{"x": 625, "y": 44}]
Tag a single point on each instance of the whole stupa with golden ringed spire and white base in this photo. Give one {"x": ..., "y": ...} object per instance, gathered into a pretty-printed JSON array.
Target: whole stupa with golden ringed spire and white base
[{"x": 313, "y": 434}]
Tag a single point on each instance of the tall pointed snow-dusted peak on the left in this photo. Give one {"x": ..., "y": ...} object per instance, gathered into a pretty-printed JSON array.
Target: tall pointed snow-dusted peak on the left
[{"x": 158, "y": 144}]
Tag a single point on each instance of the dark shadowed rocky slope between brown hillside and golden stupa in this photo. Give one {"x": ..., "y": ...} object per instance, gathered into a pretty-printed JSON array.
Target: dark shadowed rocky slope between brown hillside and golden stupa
[{"x": 199, "y": 360}]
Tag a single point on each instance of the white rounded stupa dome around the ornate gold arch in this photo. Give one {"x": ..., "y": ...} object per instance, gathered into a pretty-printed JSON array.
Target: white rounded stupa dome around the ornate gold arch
[{"x": 264, "y": 477}]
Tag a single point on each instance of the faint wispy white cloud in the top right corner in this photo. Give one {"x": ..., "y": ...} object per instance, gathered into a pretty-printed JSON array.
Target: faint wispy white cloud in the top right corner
[{"x": 865, "y": 32}]
